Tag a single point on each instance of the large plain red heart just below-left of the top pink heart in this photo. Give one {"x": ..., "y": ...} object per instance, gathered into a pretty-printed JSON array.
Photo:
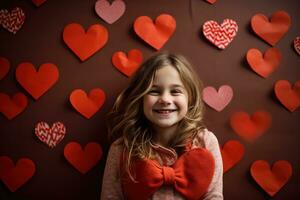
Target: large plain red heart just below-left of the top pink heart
[{"x": 84, "y": 44}]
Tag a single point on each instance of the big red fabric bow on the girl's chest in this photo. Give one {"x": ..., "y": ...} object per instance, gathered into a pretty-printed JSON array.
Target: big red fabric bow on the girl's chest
[{"x": 190, "y": 175}]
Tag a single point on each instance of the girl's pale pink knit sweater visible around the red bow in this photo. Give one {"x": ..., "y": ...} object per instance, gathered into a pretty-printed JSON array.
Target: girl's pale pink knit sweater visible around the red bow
[{"x": 111, "y": 185}]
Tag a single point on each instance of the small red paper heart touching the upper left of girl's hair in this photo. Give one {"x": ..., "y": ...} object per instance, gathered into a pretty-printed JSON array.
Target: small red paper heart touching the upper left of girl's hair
[{"x": 127, "y": 65}]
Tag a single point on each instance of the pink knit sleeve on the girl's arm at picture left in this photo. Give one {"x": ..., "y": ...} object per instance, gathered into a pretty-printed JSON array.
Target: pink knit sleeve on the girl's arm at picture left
[{"x": 111, "y": 184}]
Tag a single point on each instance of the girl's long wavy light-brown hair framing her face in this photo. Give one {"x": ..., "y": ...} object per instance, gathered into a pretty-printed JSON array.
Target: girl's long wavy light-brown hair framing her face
[{"x": 127, "y": 121}]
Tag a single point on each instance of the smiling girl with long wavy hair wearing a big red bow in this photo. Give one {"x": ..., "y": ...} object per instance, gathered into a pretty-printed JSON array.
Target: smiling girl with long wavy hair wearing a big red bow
[{"x": 162, "y": 148}]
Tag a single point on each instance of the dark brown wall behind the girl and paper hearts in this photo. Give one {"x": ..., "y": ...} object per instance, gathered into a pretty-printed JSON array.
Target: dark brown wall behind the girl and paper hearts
[{"x": 40, "y": 41}]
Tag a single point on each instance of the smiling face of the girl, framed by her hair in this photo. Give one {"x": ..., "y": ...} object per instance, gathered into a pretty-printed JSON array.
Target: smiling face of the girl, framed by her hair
[{"x": 167, "y": 101}]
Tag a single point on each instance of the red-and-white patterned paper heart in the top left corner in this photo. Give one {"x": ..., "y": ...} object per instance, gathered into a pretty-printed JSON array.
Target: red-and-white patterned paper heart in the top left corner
[{"x": 12, "y": 21}]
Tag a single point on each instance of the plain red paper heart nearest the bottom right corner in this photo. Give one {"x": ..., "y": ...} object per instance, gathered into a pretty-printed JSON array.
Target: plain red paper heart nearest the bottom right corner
[{"x": 271, "y": 180}]
